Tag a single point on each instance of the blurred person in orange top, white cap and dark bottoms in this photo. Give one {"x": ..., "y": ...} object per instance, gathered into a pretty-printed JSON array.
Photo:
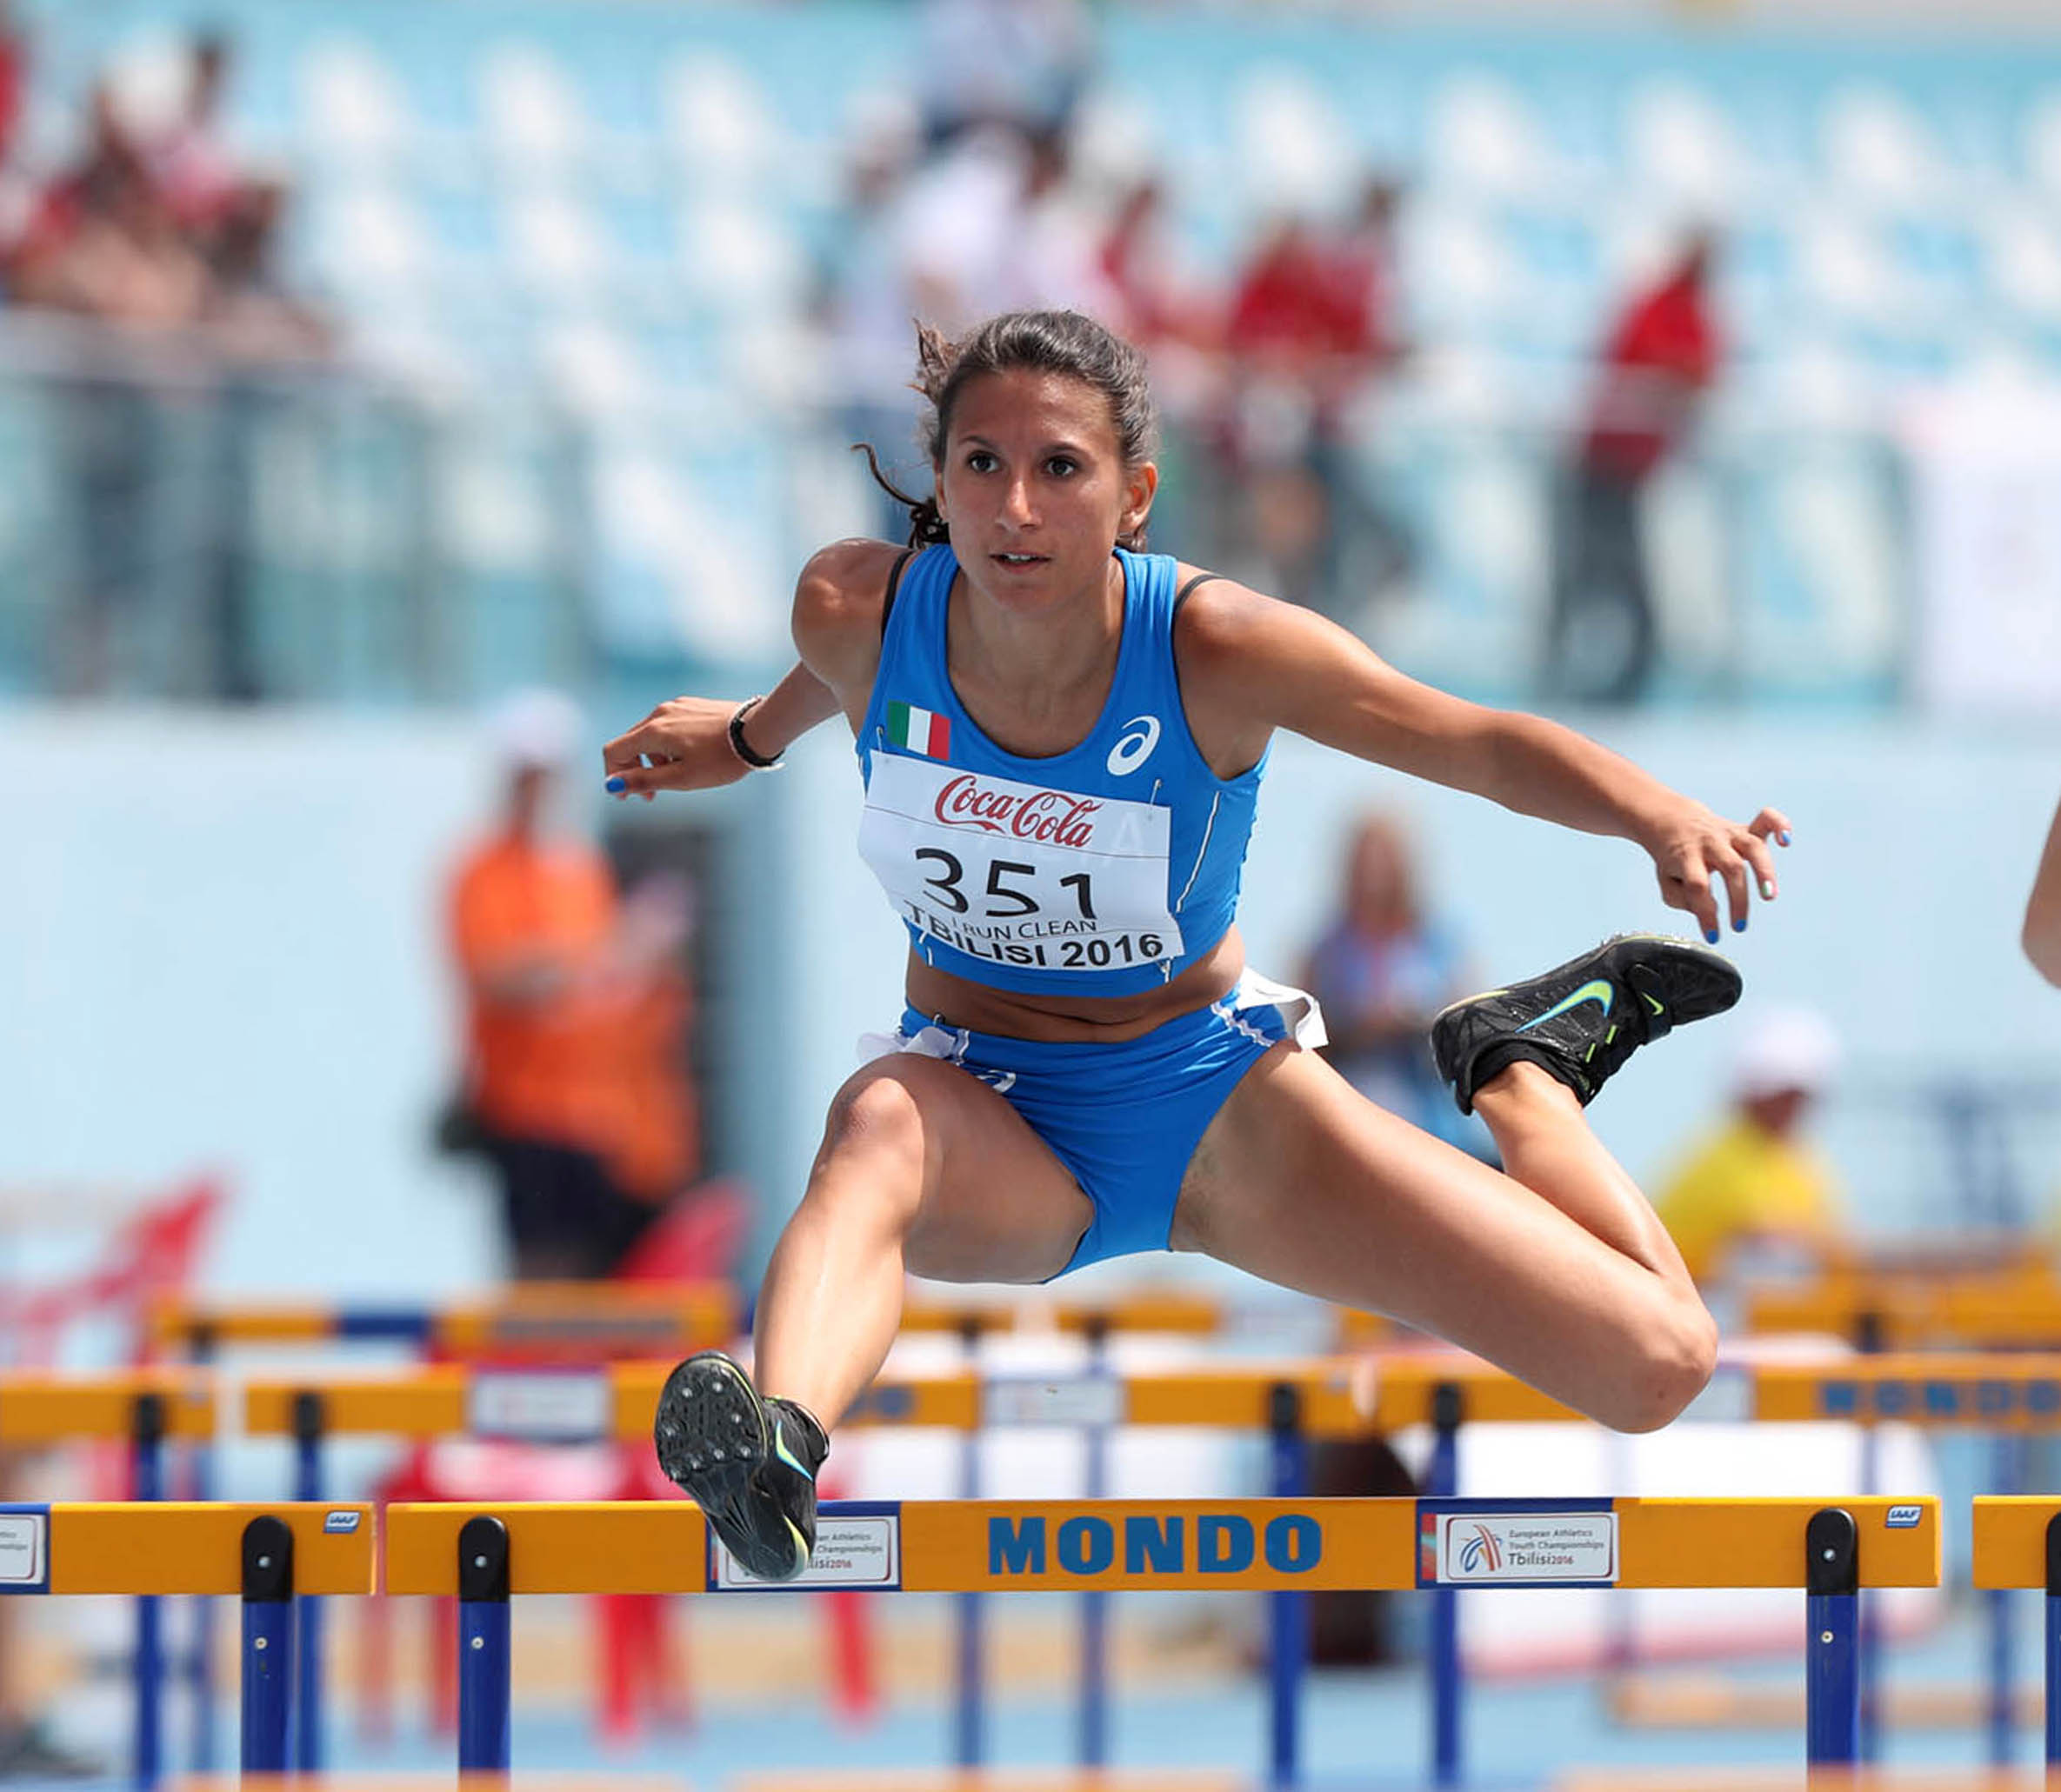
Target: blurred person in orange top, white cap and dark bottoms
[{"x": 576, "y": 1010}]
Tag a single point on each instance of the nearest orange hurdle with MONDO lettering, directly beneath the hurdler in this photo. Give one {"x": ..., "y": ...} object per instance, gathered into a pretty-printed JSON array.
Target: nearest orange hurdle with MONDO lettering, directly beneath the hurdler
[{"x": 487, "y": 1554}]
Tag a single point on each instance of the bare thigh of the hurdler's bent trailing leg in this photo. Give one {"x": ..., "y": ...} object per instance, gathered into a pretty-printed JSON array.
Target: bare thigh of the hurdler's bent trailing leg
[{"x": 1310, "y": 1185}]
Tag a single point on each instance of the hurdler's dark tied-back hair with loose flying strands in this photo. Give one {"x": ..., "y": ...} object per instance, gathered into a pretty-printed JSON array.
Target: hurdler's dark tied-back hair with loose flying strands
[{"x": 1036, "y": 343}]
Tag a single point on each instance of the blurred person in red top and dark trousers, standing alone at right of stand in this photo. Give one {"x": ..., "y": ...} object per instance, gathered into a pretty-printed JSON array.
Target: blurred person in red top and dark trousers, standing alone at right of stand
[{"x": 1660, "y": 359}]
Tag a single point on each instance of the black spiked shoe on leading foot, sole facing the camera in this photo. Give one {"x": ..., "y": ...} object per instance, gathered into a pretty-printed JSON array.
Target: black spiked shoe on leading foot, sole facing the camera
[{"x": 747, "y": 1461}]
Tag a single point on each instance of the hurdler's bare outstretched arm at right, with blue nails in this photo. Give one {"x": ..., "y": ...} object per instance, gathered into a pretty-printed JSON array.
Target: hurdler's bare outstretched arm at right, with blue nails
[{"x": 1252, "y": 664}]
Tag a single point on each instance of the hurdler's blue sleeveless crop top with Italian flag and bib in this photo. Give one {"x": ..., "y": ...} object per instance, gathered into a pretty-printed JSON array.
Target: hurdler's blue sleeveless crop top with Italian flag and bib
[{"x": 1106, "y": 870}]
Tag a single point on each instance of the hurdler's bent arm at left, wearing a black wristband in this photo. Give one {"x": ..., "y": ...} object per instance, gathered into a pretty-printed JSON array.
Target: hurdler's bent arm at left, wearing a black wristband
[{"x": 685, "y": 743}]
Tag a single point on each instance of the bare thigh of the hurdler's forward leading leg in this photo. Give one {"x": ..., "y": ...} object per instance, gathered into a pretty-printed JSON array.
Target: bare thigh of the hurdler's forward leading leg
[{"x": 994, "y": 1202}]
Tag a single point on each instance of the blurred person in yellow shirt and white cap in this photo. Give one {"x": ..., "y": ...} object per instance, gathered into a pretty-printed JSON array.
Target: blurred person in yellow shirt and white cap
[{"x": 1753, "y": 1194}]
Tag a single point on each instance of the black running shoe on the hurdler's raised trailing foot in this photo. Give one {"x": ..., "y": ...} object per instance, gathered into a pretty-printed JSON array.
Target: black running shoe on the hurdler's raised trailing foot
[{"x": 1584, "y": 1021}]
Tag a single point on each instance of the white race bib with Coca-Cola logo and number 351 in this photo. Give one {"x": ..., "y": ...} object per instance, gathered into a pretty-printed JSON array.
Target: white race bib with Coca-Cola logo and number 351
[{"x": 1019, "y": 874}]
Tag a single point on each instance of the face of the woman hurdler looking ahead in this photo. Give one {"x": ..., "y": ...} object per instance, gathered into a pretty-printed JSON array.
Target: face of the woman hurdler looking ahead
[{"x": 1034, "y": 485}]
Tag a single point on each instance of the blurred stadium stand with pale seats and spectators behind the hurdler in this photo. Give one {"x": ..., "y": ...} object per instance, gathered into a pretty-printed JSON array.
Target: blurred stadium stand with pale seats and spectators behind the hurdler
[{"x": 1621, "y": 366}]
